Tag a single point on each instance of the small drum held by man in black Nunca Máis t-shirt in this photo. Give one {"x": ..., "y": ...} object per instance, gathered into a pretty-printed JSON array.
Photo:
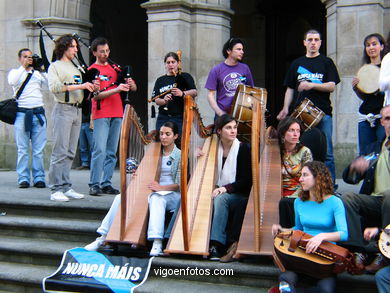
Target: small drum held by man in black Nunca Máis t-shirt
[{"x": 309, "y": 114}]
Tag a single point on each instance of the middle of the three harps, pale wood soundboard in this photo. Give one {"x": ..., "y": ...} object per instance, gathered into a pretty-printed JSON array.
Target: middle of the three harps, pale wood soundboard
[{"x": 190, "y": 234}]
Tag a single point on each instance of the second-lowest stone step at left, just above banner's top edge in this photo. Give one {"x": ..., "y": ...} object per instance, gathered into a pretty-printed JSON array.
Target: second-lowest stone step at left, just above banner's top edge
[{"x": 44, "y": 252}]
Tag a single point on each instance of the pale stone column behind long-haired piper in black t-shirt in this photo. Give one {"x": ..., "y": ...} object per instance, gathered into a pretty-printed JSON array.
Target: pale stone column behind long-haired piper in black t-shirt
[{"x": 198, "y": 29}]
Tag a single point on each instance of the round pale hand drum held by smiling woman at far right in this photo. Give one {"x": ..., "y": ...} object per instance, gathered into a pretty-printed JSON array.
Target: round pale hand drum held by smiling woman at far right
[{"x": 368, "y": 76}]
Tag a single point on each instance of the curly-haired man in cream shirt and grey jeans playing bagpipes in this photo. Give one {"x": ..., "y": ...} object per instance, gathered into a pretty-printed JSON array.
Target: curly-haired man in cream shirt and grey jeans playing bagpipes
[{"x": 65, "y": 82}]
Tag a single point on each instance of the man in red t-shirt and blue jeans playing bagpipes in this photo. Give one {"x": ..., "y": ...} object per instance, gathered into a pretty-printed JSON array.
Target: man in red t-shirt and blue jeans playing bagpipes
[{"x": 107, "y": 113}]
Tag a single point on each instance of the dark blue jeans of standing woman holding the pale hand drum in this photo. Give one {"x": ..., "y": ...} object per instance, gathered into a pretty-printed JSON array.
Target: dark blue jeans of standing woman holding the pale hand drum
[{"x": 368, "y": 134}]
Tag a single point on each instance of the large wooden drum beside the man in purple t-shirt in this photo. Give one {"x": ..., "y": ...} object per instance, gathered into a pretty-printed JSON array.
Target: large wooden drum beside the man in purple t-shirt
[{"x": 242, "y": 106}]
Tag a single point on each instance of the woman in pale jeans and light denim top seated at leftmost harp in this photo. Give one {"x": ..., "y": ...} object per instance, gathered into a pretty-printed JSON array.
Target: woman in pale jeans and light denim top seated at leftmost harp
[{"x": 165, "y": 195}]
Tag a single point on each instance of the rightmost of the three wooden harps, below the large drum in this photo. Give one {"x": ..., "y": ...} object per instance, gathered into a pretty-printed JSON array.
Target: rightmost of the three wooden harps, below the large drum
[{"x": 262, "y": 209}]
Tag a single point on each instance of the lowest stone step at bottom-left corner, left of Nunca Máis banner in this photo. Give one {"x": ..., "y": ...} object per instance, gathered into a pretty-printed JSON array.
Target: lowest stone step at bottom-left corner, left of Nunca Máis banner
[{"x": 23, "y": 278}]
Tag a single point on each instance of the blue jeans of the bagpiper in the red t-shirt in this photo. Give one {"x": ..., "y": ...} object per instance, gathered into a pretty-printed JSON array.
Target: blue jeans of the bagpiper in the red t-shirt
[{"x": 105, "y": 144}]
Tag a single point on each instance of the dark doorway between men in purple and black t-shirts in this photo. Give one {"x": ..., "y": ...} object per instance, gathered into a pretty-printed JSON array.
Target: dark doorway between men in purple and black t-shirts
[{"x": 274, "y": 33}]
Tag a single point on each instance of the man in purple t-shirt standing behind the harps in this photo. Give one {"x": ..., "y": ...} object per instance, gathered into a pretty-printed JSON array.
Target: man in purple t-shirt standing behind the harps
[{"x": 224, "y": 78}]
